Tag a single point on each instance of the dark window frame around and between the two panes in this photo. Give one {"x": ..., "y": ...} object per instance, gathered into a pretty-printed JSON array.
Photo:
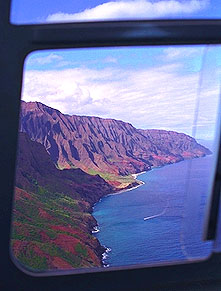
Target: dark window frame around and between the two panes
[{"x": 16, "y": 42}]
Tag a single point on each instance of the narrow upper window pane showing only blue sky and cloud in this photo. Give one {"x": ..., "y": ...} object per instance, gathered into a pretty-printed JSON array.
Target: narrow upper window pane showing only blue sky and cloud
[{"x": 37, "y": 11}]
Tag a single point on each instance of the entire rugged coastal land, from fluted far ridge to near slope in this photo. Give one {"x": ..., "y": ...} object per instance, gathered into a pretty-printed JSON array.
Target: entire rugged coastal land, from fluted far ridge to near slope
[{"x": 65, "y": 164}]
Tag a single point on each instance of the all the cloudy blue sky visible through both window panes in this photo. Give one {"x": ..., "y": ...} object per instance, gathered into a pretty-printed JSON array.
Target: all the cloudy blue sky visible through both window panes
[{"x": 174, "y": 87}]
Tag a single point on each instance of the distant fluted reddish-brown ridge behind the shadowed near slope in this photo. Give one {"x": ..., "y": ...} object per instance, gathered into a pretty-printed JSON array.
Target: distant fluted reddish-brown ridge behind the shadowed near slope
[{"x": 104, "y": 146}]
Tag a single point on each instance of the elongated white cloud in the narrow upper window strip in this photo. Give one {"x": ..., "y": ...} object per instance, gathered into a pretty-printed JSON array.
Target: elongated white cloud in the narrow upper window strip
[{"x": 134, "y": 9}]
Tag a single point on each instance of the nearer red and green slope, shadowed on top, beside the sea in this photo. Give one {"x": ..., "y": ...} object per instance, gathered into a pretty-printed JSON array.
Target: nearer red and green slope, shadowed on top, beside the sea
[{"x": 52, "y": 223}]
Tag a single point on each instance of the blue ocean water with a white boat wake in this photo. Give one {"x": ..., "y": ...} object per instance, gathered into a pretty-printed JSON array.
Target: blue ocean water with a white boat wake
[{"x": 175, "y": 195}]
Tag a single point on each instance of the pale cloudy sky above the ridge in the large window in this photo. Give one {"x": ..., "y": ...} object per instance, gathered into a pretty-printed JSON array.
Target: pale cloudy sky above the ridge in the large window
[{"x": 150, "y": 87}]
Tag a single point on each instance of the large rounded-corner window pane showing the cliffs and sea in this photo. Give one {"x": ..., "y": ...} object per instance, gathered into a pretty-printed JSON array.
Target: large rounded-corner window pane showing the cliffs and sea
[{"x": 116, "y": 157}]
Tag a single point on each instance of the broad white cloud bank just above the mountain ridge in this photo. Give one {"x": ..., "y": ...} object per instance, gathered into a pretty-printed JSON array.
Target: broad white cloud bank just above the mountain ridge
[{"x": 157, "y": 97}]
